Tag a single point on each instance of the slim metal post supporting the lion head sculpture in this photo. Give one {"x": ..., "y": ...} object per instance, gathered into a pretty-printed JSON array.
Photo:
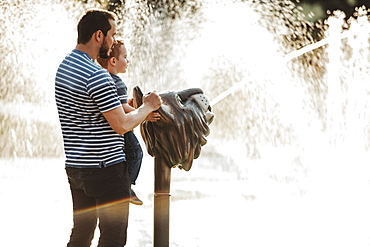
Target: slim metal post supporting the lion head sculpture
[{"x": 162, "y": 181}]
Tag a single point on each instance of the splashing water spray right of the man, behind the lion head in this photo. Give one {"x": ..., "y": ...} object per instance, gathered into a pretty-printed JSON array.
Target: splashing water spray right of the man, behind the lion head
[{"x": 246, "y": 57}]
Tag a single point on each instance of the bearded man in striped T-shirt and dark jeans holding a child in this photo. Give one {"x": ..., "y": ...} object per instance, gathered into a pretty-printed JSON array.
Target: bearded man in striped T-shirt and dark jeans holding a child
[{"x": 93, "y": 122}]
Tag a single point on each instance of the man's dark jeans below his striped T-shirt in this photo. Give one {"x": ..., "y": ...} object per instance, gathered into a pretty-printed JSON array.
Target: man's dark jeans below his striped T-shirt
[{"x": 99, "y": 193}]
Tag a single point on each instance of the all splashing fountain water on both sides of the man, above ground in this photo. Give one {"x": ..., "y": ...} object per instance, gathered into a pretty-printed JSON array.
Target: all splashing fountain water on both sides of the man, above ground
[{"x": 241, "y": 54}]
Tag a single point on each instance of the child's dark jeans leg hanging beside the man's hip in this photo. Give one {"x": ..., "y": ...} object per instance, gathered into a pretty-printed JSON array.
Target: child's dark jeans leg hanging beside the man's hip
[{"x": 134, "y": 155}]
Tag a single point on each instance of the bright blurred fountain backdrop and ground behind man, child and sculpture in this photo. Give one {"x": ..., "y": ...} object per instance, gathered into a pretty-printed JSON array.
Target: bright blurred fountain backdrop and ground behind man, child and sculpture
[{"x": 287, "y": 160}]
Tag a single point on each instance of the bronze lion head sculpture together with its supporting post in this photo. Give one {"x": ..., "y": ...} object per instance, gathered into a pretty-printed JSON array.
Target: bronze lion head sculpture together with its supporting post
[{"x": 174, "y": 141}]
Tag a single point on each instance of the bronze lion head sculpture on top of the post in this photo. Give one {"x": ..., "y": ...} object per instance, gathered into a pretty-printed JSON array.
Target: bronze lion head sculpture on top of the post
[{"x": 178, "y": 136}]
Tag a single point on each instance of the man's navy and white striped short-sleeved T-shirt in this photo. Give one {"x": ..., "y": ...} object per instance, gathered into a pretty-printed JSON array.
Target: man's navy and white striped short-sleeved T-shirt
[{"x": 83, "y": 91}]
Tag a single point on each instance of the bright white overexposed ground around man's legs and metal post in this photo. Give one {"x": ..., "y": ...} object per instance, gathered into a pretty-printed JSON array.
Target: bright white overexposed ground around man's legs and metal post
[{"x": 210, "y": 206}]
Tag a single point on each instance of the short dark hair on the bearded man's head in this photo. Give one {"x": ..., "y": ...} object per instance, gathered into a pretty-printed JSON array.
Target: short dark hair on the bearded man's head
[{"x": 94, "y": 20}]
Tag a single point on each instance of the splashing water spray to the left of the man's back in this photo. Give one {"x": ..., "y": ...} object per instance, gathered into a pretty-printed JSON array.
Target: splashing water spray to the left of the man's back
[{"x": 35, "y": 36}]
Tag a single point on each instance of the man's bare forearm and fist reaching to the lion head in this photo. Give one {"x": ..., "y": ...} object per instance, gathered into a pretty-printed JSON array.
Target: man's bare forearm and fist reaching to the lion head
[{"x": 122, "y": 122}]
